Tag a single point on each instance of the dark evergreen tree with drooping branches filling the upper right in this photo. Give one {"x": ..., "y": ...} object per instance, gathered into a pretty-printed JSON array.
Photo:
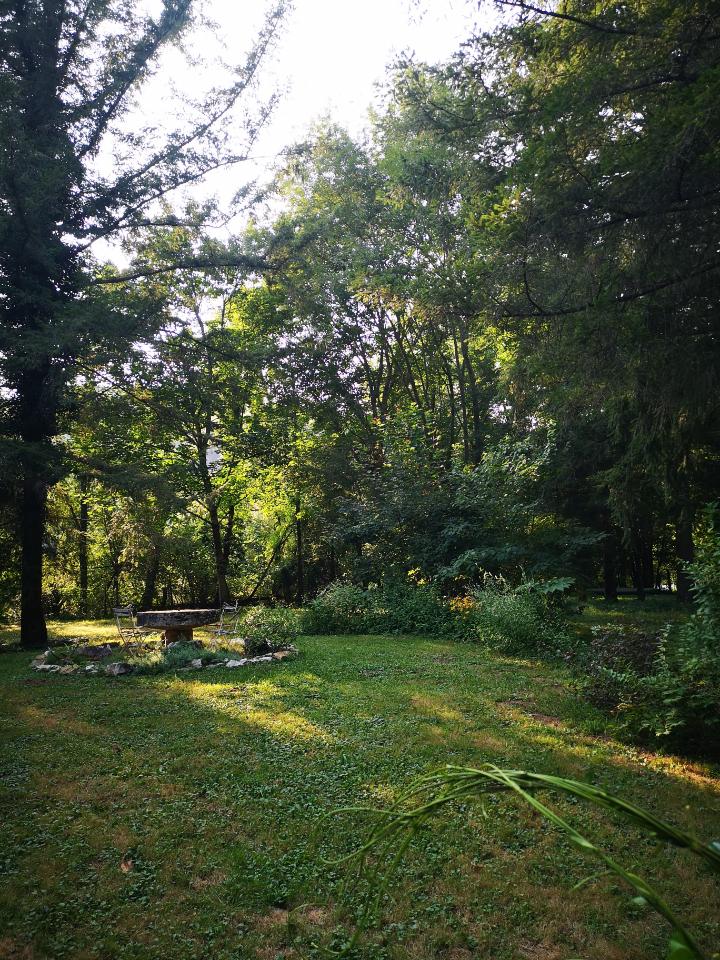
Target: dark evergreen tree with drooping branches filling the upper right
[{"x": 598, "y": 125}]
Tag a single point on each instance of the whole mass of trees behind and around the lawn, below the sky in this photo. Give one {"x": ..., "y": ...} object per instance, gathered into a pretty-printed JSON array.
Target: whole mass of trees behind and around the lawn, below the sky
[{"x": 482, "y": 339}]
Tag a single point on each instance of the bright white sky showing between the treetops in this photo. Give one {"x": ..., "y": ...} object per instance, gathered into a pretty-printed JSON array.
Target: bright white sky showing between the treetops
[{"x": 327, "y": 62}]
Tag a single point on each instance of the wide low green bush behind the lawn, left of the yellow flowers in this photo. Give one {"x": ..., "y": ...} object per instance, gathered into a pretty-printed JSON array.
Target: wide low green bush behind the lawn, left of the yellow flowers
[{"x": 392, "y": 608}]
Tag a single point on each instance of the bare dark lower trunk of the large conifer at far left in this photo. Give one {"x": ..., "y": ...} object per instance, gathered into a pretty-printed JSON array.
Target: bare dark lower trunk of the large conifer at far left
[{"x": 33, "y": 631}]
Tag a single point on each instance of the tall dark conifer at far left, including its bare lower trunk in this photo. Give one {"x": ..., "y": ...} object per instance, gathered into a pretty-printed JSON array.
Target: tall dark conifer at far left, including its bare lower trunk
[{"x": 69, "y": 74}]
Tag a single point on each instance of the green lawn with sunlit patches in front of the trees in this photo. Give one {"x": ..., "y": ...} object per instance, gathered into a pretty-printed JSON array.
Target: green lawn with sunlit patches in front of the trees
[{"x": 174, "y": 816}]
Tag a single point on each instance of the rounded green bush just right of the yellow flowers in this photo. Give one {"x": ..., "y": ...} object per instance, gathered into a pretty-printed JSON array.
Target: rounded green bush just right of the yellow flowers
[{"x": 524, "y": 619}]
